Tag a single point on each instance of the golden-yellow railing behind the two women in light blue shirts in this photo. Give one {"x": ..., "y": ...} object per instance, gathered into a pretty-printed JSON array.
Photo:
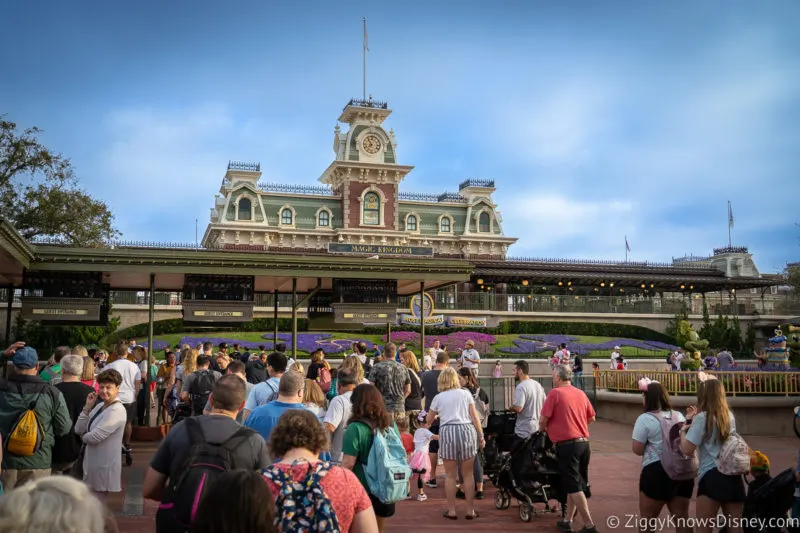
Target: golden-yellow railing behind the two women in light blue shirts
[{"x": 739, "y": 383}]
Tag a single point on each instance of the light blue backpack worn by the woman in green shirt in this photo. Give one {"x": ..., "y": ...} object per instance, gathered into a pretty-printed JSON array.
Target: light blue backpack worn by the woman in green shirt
[{"x": 387, "y": 470}]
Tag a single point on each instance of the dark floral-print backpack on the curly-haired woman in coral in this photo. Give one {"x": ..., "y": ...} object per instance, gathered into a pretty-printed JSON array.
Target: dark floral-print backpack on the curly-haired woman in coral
[{"x": 303, "y": 505}]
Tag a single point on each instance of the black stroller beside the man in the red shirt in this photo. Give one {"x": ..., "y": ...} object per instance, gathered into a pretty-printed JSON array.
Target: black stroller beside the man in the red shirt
[{"x": 530, "y": 474}]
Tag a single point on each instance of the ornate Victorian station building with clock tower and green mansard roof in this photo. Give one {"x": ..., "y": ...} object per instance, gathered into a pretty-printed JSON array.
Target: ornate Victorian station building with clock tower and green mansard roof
[{"x": 359, "y": 204}]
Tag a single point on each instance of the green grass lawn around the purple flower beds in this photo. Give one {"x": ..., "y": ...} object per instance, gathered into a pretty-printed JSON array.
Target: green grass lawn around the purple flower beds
[{"x": 502, "y": 341}]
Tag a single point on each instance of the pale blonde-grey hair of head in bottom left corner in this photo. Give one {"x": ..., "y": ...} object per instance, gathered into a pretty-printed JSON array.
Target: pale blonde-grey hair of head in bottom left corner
[{"x": 53, "y": 504}]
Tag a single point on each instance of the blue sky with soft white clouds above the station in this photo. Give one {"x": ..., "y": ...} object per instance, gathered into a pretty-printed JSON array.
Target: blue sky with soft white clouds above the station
[{"x": 597, "y": 120}]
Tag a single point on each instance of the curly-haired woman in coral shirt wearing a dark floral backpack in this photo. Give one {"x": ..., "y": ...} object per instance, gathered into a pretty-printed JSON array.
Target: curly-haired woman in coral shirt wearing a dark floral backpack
[{"x": 314, "y": 496}]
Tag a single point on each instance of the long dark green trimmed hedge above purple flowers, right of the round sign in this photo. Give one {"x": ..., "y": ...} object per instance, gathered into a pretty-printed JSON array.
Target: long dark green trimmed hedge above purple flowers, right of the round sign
[{"x": 541, "y": 328}]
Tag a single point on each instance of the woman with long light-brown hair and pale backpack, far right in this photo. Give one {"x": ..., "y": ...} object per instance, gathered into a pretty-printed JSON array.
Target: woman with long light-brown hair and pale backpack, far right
[{"x": 712, "y": 431}]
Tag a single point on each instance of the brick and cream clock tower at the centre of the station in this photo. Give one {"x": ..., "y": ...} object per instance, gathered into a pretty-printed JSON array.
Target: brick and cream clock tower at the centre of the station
[{"x": 365, "y": 171}]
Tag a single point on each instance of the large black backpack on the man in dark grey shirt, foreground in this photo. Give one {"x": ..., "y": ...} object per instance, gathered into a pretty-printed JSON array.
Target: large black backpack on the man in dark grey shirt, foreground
[{"x": 203, "y": 465}]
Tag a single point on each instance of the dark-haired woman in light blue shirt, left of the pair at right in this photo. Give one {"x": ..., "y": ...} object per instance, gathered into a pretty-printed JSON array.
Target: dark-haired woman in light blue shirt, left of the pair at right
[{"x": 656, "y": 486}]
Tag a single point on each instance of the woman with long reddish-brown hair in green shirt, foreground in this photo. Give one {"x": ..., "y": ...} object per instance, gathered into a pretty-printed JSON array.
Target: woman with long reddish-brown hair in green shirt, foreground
[{"x": 369, "y": 416}]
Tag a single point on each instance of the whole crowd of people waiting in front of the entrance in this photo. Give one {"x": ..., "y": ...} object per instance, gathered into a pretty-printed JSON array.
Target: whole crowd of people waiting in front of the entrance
[{"x": 321, "y": 449}]
